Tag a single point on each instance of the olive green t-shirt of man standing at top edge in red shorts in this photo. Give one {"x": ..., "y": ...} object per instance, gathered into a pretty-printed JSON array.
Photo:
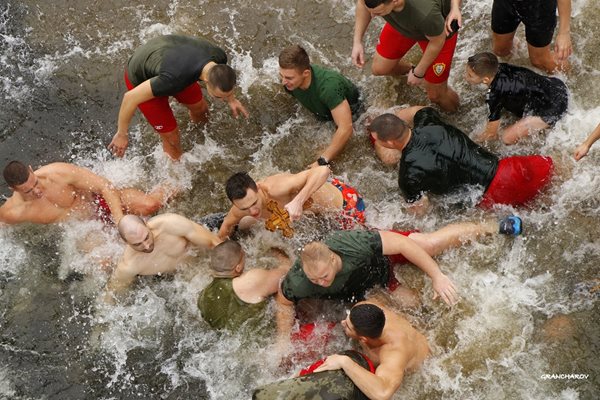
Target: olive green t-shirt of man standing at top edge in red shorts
[{"x": 420, "y": 18}]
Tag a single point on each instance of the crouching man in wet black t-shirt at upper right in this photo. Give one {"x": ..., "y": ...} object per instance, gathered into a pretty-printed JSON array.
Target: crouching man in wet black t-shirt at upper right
[{"x": 539, "y": 101}]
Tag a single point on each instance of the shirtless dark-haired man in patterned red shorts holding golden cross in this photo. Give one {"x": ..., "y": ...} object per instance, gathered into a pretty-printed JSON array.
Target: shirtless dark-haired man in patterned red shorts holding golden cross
[{"x": 291, "y": 192}]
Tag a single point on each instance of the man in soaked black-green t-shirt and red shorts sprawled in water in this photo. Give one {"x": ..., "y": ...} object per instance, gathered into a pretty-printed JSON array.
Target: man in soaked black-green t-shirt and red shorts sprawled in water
[{"x": 437, "y": 157}]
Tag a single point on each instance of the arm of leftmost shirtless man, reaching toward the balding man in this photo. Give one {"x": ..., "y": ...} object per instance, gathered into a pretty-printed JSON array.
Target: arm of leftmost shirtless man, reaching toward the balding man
[{"x": 84, "y": 179}]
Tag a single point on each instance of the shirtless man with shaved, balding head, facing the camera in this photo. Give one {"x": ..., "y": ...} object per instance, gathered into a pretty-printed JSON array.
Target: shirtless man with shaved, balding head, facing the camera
[{"x": 155, "y": 247}]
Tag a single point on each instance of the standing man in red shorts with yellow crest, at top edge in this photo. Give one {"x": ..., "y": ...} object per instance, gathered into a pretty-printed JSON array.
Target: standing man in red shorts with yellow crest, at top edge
[{"x": 426, "y": 22}]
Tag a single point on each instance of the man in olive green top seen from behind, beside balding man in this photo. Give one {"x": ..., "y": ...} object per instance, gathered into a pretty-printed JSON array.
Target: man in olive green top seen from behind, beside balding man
[{"x": 235, "y": 297}]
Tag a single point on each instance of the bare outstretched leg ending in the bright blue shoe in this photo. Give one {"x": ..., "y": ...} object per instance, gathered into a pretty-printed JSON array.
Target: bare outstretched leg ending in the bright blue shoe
[{"x": 453, "y": 235}]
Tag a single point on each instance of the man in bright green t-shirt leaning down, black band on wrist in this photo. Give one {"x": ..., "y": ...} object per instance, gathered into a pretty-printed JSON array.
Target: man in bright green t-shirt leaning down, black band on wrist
[{"x": 326, "y": 93}]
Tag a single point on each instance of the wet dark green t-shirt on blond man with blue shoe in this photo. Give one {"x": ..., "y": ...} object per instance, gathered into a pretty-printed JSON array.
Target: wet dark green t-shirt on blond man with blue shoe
[{"x": 363, "y": 267}]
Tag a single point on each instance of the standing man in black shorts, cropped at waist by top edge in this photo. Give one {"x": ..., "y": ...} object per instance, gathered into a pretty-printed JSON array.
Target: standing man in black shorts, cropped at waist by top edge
[{"x": 539, "y": 18}]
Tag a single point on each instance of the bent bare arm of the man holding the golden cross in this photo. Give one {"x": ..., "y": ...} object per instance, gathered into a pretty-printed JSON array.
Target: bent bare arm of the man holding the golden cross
[{"x": 303, "y": 184}]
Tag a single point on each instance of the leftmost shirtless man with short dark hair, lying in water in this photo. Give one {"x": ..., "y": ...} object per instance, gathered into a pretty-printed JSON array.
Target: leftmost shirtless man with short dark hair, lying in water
[{"x": 58, "y": 191}]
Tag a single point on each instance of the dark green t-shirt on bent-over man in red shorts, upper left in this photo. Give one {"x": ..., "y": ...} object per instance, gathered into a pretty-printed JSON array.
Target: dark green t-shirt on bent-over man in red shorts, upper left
[{"x": 172, "y": 62}]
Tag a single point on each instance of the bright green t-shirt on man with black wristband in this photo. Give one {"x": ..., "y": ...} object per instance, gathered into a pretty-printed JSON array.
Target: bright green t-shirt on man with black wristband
[{"x": 327, "y": 90}]
